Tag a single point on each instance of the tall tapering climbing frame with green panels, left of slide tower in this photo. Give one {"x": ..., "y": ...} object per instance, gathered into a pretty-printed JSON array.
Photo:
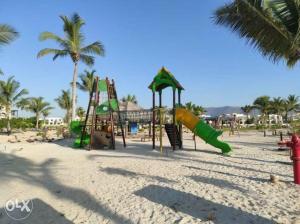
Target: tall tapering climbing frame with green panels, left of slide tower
[{"x": 103, "y": 115}]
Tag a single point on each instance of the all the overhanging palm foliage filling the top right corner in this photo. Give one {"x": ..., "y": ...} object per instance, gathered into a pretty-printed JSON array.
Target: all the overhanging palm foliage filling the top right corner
[{"x": 270, "y": 26}]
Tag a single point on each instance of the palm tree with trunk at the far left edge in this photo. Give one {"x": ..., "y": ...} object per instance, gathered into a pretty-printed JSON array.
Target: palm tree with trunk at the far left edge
[{"x": 10, "y": 96}]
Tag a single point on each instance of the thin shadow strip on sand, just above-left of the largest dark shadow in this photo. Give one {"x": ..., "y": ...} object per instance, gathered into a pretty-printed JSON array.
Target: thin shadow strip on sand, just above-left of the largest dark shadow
[{"x": 127, "y": 173}]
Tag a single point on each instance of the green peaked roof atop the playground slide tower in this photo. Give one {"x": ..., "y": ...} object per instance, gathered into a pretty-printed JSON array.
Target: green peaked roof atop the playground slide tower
[{"x": 164, "y": 79}]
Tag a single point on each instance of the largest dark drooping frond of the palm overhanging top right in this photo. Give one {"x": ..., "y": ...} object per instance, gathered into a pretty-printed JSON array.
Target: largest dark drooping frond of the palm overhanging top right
[{"x": 252, "y": 21}]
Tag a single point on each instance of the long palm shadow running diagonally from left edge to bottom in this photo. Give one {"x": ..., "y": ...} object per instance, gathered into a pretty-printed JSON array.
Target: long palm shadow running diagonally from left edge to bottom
[{"x": 41, "y": 176}]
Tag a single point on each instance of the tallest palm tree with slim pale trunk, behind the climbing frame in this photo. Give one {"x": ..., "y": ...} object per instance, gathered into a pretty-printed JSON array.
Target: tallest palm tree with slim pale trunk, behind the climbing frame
[{"x": 72, "y": 45}]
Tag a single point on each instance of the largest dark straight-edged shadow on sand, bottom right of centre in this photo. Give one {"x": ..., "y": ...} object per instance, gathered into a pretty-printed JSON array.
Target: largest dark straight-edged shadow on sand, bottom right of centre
[{"x": 198, "y": 207}]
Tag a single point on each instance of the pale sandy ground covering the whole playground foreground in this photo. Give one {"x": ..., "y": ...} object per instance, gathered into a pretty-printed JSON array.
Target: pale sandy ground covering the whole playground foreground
[{"x": 138, "y": 185}]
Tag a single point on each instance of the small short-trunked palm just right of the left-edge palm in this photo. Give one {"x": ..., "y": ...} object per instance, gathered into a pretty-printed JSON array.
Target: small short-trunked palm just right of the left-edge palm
[{"x": 38, "y": 106}]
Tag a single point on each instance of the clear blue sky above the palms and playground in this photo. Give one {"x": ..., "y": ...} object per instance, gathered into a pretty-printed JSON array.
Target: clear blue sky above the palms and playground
[{"x": 215, "y": 66}]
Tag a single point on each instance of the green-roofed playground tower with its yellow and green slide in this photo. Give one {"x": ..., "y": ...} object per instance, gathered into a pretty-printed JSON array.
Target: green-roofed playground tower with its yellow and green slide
[{"x": 181, "y": 116}]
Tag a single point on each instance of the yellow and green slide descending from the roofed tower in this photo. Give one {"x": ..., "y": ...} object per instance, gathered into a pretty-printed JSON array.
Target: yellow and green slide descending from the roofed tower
[{"x": 201, "y": 129}]
